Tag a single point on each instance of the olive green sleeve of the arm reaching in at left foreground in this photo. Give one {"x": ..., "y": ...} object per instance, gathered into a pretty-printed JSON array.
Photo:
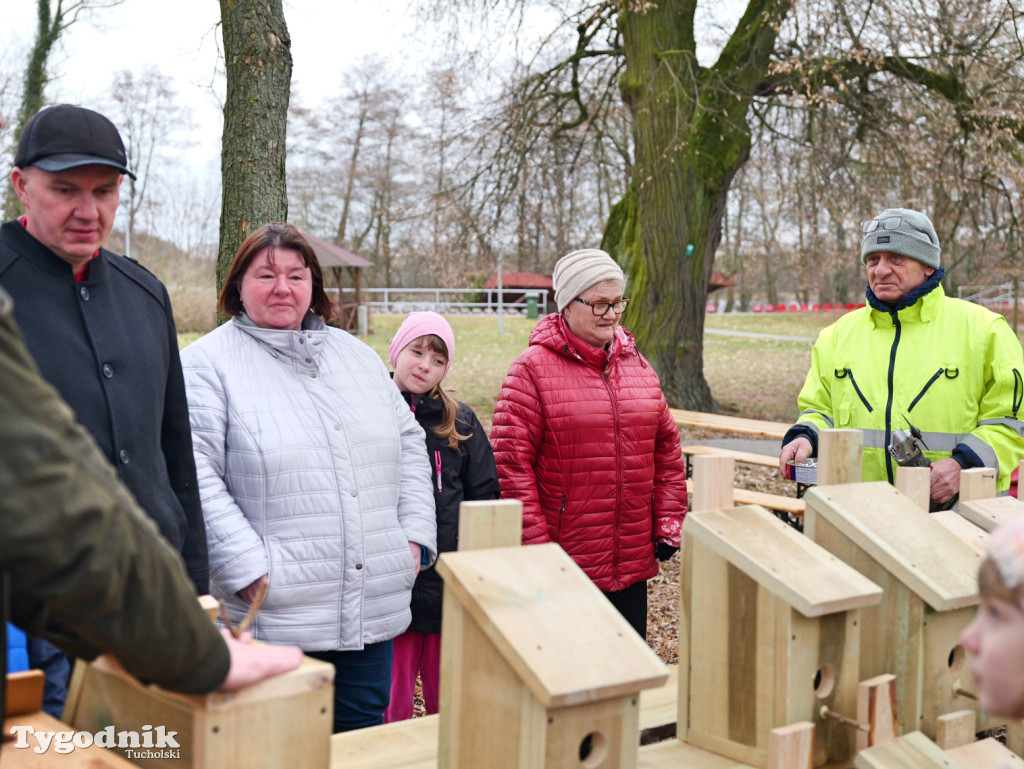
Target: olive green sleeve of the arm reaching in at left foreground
[{"x": 87, "y": 569}]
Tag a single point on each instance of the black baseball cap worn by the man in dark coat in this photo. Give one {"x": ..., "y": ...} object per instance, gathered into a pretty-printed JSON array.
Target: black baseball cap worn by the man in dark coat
[{"x": 67, "y": 137}]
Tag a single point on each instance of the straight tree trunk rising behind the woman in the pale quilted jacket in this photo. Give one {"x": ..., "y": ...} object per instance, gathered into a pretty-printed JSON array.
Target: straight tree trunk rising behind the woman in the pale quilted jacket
[{"x": 259, "y": 62}]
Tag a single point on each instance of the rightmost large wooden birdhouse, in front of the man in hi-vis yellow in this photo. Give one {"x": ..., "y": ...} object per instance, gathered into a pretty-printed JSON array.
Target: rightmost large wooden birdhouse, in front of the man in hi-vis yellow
[{"x": 930, "y": 579}]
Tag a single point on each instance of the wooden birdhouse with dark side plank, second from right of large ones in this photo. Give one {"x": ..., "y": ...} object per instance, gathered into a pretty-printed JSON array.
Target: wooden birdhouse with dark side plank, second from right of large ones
[{"x": 770, "y": 634}]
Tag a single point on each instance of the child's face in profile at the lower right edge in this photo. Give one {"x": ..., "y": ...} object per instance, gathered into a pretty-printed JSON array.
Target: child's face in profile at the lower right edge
[{"x": 996, "y": 637}]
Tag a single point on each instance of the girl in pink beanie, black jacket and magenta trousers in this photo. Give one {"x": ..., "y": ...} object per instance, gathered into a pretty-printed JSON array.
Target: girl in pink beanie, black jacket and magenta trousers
[{"x": 463, "y": 466}]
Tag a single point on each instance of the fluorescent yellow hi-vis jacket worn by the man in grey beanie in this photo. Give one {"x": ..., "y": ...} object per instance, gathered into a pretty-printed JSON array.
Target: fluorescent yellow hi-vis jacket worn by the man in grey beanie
[{"x": 951, "y": 368}]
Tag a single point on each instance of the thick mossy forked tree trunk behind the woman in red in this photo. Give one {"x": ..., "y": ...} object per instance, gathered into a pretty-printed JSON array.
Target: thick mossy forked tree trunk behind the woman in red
[{"x": 691, "y": 138}]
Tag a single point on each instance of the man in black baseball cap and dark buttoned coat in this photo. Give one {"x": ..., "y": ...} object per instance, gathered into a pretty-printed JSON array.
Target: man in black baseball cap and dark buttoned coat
[{"x": 99, "y": 325}]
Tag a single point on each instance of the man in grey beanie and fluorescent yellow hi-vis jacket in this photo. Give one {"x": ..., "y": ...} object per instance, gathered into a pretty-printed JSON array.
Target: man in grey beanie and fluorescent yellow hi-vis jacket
[{"x": 915, "y": 357}]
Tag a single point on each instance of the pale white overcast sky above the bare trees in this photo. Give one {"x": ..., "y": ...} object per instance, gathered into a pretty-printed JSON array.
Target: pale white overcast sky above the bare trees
[{"x": 182, "y": 40}]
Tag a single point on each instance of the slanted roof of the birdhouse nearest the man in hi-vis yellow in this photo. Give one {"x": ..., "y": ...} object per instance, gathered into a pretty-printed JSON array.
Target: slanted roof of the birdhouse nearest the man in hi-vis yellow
[{"x": 932, "y": 562}]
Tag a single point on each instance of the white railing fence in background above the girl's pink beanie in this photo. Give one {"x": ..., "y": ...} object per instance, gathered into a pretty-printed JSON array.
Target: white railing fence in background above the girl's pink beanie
[{"x": 447, "y": 302}]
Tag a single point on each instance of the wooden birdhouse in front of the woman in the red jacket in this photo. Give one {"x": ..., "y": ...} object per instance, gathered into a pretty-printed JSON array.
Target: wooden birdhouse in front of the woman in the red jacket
[{"x": 538, "y": 669}]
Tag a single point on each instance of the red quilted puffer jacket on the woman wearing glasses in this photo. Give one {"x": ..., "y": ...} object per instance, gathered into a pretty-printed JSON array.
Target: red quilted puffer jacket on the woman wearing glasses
[{"x": 585, "y": 441}]
